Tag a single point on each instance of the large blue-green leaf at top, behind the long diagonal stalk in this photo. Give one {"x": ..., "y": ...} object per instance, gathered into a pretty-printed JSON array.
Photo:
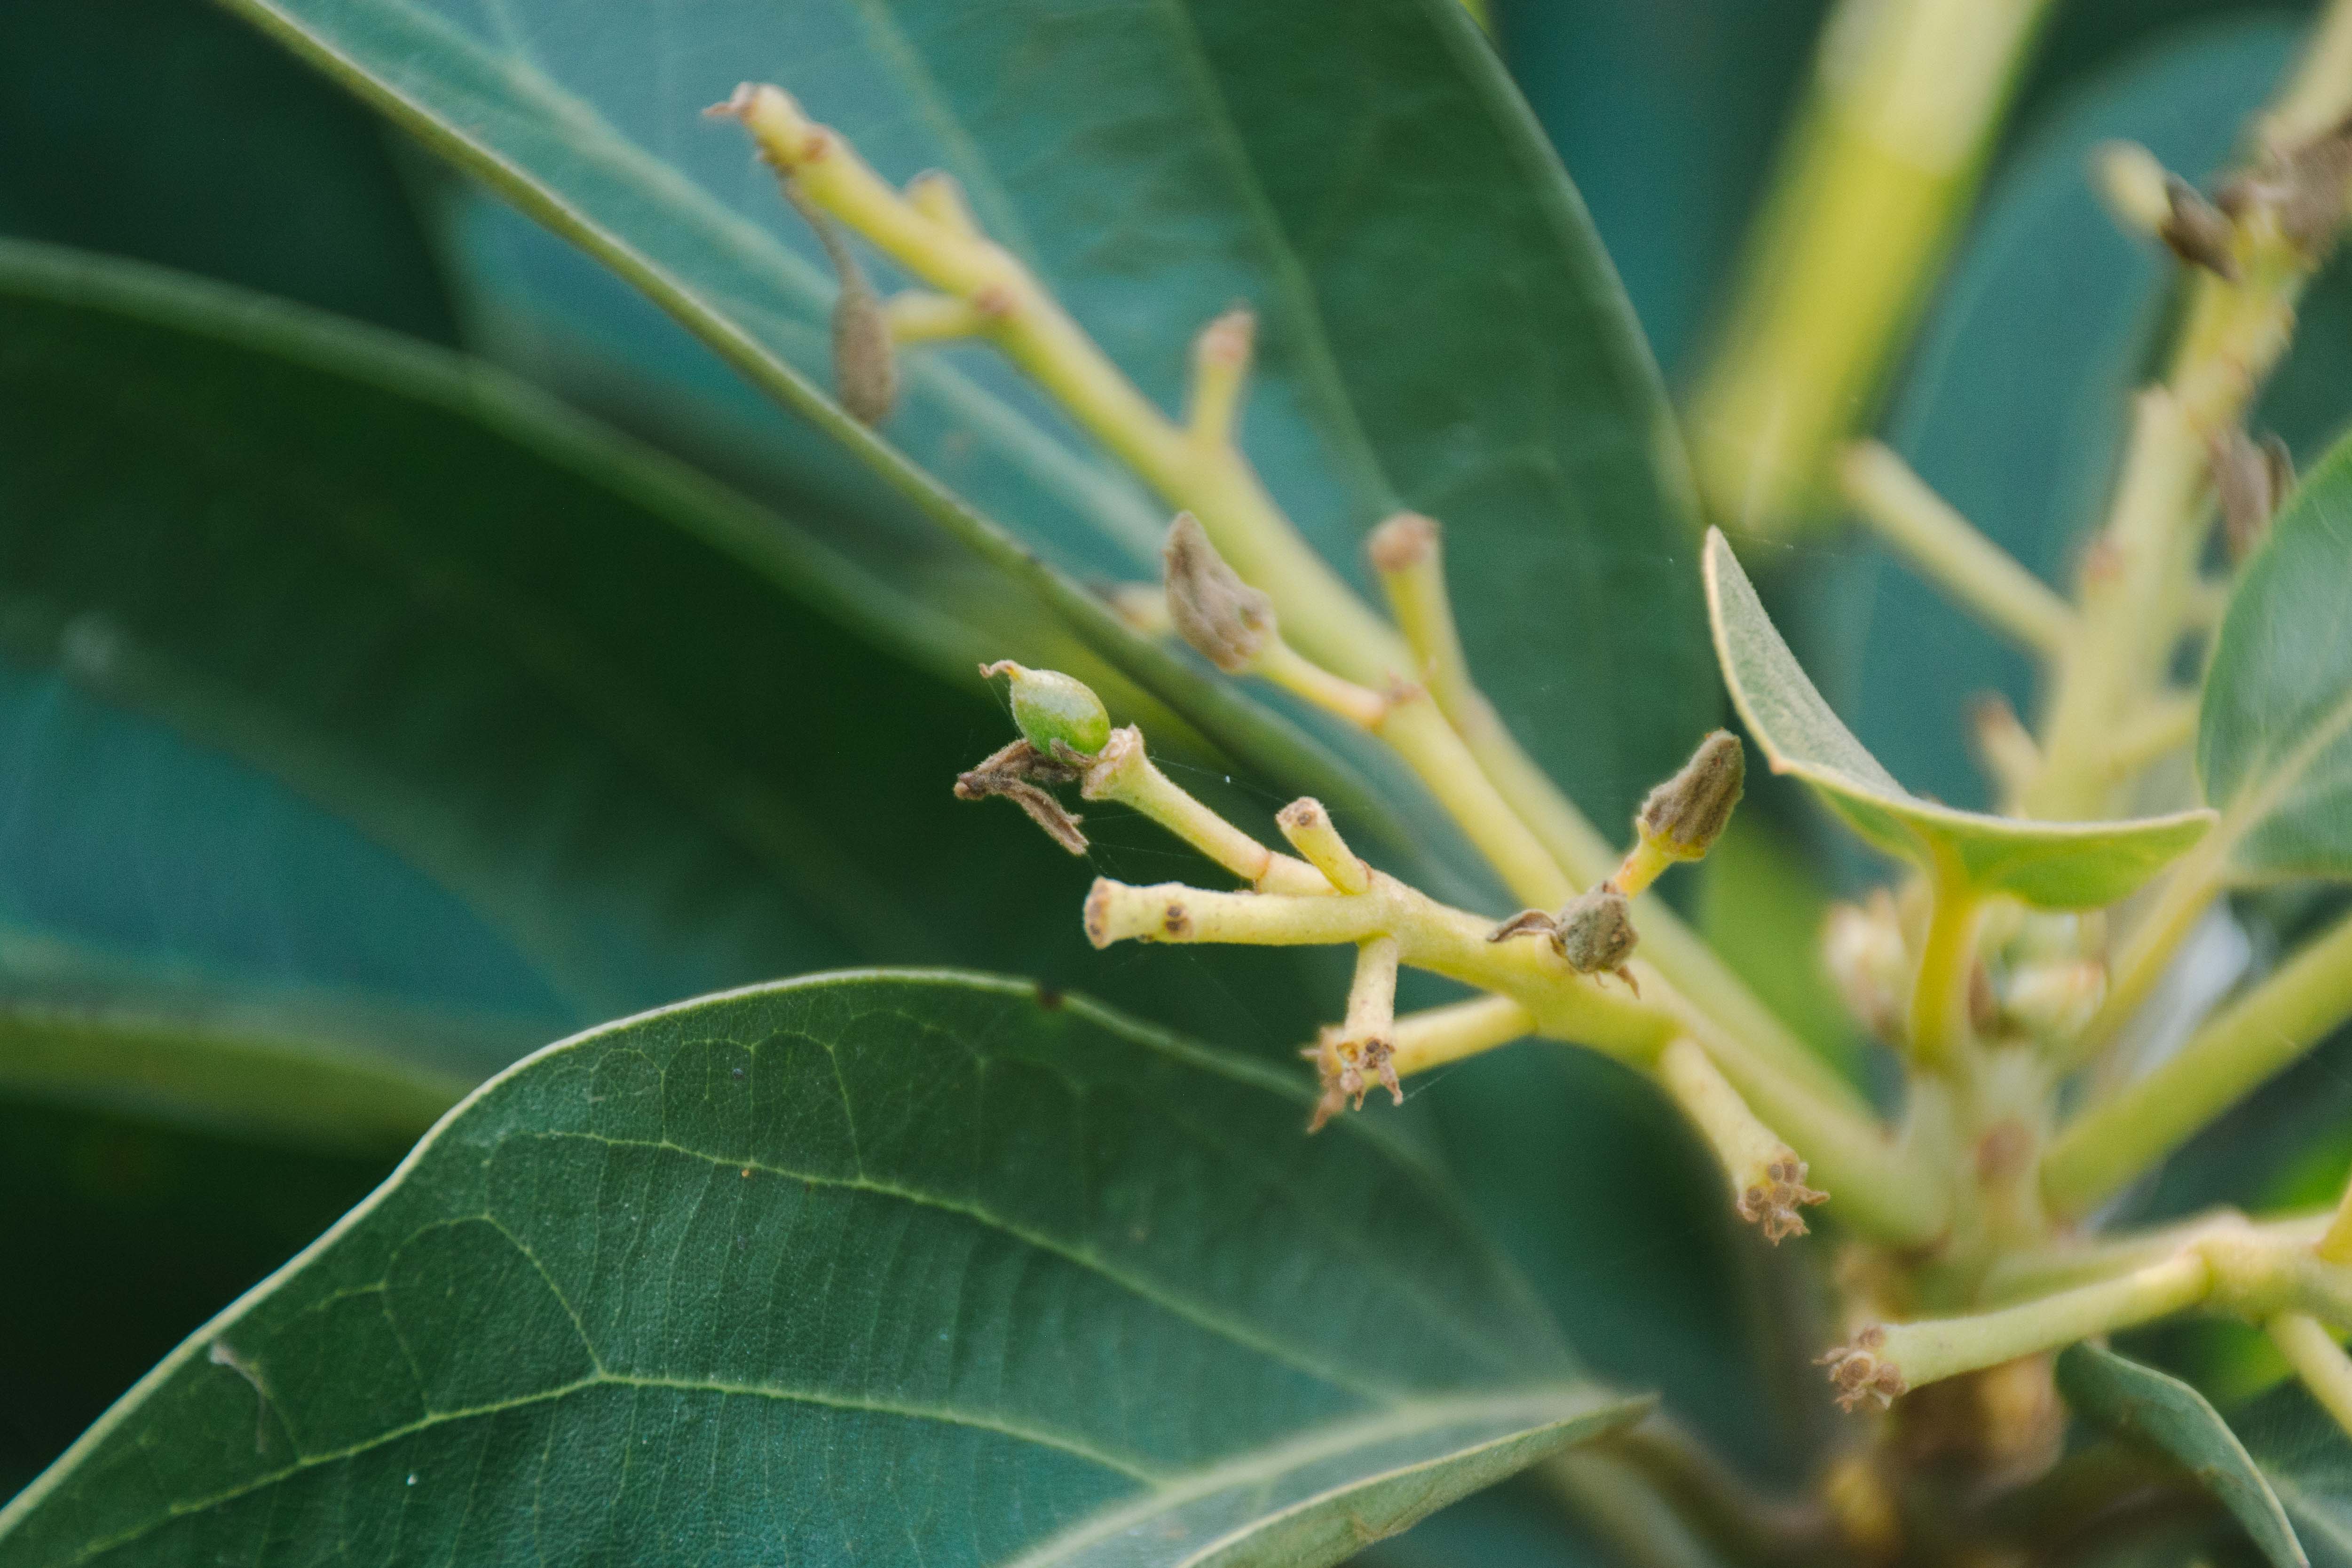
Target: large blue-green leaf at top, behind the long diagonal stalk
[{"x": 1438, "y": 326}]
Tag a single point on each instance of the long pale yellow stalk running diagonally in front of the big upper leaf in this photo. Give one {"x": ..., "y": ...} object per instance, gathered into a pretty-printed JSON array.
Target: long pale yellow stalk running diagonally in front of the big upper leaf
[{"x": 1537, "y": 840}]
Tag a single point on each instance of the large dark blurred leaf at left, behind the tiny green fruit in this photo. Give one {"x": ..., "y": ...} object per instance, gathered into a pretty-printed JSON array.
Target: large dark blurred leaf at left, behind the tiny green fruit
[{"x": 639, "y": 725}]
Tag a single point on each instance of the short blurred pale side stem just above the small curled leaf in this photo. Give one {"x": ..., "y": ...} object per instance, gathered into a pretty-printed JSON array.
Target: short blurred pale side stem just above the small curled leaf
[{"x": 1951, "y": 554}]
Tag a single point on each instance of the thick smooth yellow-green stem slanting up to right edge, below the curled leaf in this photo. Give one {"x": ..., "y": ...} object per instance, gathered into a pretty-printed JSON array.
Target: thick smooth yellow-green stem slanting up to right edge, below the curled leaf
[{"x": 2229, "y": 1057}]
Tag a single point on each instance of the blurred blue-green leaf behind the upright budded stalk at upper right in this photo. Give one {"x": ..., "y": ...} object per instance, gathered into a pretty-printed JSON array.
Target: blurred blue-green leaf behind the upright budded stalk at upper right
[{"x": 2022, "y": 382}]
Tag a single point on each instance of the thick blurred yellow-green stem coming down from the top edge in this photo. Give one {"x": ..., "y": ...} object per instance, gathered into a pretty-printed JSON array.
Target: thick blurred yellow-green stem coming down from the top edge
[{"x": 1906, "y": 102}]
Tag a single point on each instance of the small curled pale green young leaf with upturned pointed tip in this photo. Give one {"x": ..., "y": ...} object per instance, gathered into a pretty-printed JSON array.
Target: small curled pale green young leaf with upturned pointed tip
[{"x": 2064, "y": 866}]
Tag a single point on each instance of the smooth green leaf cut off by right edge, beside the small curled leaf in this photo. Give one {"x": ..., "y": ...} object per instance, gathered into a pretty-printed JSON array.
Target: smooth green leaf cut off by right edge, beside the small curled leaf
[{"x": 2276, "y": 730}]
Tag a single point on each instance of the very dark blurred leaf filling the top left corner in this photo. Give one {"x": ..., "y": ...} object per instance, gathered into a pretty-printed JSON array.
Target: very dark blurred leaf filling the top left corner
[{"x": 168, "y": 133}]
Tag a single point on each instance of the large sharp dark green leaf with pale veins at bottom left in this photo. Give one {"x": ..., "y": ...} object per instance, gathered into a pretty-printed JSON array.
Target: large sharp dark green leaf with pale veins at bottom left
[{"x": 871, "y": 1268}]
